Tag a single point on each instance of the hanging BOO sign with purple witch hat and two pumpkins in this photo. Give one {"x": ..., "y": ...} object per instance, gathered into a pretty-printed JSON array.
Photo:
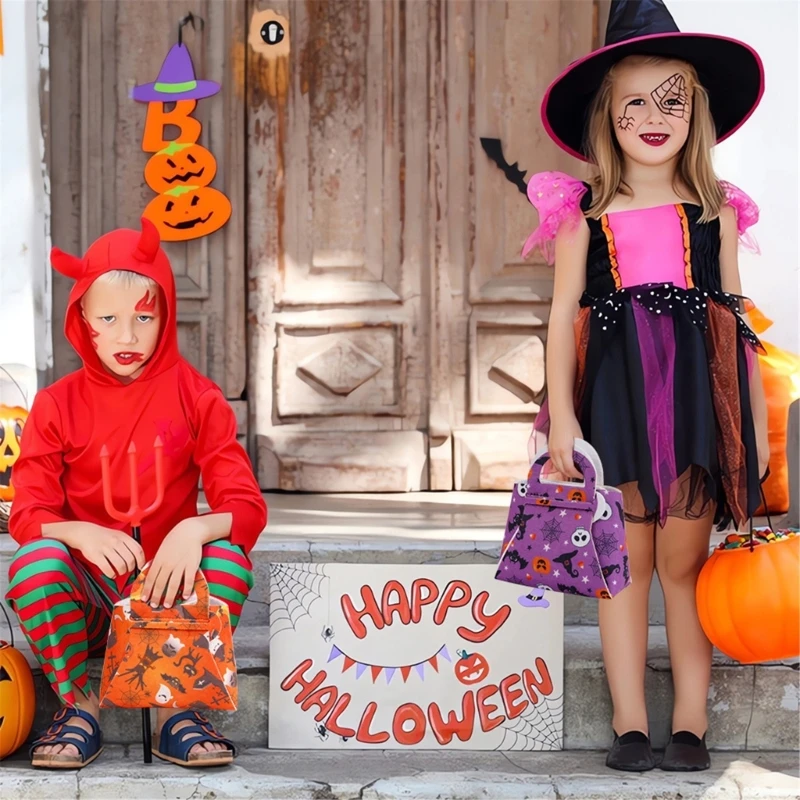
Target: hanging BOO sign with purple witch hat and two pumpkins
[{"x": 180, "y": 171}]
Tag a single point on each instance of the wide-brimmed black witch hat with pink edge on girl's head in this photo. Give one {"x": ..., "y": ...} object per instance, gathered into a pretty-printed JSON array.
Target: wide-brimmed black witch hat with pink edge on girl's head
[{"x": 731, "y": 71}]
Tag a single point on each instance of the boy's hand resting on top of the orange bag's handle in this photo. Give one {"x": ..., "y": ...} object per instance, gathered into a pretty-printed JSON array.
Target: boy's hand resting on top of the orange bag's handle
[{"x": 176, "y": 563}]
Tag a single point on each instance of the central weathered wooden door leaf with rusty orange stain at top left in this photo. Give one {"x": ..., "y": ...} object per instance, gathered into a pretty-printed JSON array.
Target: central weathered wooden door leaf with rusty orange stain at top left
[{"x": 339, "y": 261}]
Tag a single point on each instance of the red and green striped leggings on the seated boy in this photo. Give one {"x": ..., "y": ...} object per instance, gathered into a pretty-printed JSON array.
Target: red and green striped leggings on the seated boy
[{"x": 64, "y": 611}]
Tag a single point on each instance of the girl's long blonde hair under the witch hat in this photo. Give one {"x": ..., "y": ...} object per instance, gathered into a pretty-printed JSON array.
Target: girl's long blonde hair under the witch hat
[{"x": 694, "y": 171}]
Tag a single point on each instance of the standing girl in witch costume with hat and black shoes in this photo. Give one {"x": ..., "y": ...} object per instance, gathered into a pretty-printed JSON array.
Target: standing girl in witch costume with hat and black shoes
[{"x": 649, "y": 357}]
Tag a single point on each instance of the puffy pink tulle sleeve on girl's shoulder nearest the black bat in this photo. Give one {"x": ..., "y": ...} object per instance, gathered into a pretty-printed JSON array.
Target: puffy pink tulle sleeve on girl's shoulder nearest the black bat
[{"x": 557, "y": 198}]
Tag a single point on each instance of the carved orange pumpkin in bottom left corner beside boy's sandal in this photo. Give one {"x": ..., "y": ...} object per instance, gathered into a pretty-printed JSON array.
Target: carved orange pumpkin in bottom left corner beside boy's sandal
[{"x": 17, "y": 699}]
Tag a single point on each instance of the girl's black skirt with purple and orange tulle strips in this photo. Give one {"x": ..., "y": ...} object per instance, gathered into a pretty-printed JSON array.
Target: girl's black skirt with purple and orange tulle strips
[{"x": 663, "y": 394}]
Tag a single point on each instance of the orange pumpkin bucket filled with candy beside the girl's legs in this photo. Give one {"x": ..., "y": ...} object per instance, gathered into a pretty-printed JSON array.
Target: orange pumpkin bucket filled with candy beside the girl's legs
[{"x": 747, "y": 599}]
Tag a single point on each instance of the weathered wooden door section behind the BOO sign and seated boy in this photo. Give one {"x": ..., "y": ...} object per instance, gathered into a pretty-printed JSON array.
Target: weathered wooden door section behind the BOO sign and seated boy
[{"x": 93, "y": 136}]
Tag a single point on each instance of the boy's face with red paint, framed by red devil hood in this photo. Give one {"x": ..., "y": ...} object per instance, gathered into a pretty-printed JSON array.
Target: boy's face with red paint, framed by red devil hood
[{"x": 124, "y": 326}]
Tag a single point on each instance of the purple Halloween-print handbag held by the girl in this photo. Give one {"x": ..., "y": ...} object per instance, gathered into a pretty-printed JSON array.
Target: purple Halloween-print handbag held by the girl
[{"x": 568, "y": 538}]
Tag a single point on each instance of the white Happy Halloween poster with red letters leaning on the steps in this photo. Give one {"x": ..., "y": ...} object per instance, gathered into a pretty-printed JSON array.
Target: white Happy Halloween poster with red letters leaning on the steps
[{"x": 408, "y": 656}]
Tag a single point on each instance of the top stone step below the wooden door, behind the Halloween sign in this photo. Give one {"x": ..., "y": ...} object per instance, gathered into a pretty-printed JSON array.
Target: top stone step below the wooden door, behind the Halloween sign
[{"x": 421, "y": 528}]
